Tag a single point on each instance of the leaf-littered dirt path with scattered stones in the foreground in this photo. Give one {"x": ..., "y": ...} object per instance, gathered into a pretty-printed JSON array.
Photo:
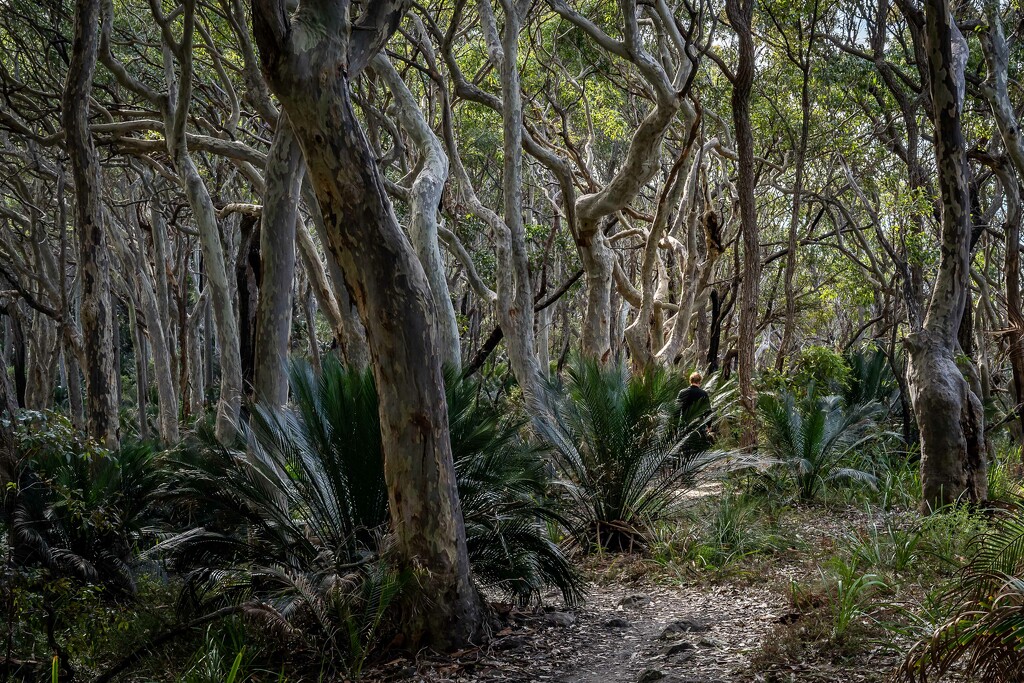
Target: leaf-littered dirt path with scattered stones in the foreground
[{"x": 645, "y": 621}]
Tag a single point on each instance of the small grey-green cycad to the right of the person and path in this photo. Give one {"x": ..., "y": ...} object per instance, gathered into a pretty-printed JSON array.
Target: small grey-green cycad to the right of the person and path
[{"x": 815, "y": 438}]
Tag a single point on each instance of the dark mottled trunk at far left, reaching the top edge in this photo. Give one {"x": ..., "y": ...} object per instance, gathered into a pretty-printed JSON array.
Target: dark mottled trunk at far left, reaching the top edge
[{"x": 97, "y": 315}]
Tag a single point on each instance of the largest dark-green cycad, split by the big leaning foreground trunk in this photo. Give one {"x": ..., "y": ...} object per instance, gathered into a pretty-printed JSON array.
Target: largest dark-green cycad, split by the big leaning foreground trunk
[{"x": 294, "y": 518}]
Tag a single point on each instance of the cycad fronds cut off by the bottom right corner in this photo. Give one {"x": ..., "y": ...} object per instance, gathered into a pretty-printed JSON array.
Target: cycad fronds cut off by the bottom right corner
[{"x": 985, "y": 638}]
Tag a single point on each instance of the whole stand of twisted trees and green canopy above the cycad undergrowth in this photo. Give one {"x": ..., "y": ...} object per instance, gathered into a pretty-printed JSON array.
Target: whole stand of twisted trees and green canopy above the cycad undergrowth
[{"x": 192, "y": 193}]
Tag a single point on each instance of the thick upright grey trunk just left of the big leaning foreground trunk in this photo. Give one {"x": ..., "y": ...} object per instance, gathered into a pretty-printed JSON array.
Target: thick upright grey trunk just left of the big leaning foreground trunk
[{"x": 285, "y": 170}]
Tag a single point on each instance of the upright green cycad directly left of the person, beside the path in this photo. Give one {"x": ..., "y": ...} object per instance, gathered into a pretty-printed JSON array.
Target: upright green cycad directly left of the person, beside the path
[{"x": 624, "y": 461}]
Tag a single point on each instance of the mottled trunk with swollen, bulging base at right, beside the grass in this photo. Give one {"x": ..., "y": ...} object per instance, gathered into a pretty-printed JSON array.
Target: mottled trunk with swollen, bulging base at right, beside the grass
[{"x": 950, "y": 415}]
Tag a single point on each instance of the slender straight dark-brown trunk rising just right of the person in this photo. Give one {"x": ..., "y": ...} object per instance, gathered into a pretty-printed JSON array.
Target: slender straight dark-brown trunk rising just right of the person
[{"x": 741, "y": 16}]
